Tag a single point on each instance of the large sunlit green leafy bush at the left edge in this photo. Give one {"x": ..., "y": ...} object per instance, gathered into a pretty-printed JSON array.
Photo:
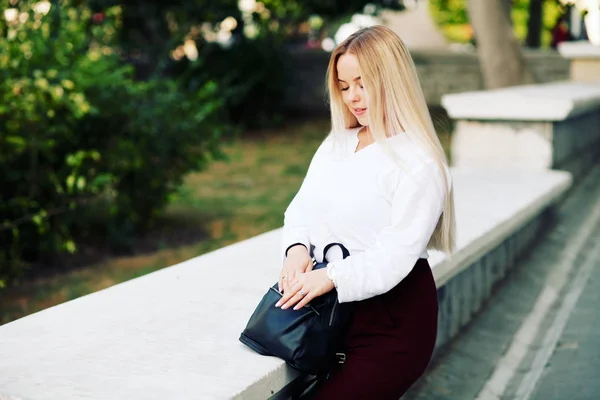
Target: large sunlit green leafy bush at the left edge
[{"x": 76, "y": 131}]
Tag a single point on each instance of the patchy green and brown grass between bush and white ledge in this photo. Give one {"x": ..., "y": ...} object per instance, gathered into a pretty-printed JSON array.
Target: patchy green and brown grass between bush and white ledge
[{"x": 230, "y": 201}]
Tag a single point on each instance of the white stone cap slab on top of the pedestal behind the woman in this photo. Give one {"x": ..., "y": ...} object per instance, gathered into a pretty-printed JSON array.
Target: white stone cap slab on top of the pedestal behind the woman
[{"x": 542, "y": 102}]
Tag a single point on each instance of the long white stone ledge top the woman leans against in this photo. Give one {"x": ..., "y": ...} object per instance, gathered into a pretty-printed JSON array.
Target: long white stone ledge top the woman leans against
[{"x": 173, "y": 334}]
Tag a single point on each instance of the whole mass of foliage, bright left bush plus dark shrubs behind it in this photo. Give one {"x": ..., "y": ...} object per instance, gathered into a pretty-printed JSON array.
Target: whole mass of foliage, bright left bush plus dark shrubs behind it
[{"x": 99, "y": 123}]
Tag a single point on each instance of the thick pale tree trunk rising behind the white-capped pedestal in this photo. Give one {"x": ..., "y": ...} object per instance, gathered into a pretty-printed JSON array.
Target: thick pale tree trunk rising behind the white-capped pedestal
[{"x": 500, "y": 57}]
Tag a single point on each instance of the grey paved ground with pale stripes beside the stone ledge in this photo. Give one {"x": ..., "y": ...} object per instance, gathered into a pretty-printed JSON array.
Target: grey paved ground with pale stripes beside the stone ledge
[{"x": 539, "y": 335}]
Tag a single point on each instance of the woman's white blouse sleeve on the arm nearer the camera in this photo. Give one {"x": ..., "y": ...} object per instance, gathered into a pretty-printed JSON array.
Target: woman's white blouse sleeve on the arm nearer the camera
[{"x": 417, "y": 205}]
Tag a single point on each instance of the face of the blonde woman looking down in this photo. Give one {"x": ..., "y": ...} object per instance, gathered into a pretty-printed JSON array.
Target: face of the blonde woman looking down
[{"x": 350, "y": 83}]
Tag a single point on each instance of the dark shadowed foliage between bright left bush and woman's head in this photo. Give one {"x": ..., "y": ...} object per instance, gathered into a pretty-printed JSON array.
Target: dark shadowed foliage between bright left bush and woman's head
[{"x": 249, "y": 74}]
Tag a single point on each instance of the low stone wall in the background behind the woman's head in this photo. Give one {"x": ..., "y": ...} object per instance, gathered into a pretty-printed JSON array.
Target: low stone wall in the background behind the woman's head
[{"x": 441, "y": 72}]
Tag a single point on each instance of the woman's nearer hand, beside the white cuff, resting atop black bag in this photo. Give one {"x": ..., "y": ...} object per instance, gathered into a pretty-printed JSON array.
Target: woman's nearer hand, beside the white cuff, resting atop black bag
[{"x": 304, "y": 288}]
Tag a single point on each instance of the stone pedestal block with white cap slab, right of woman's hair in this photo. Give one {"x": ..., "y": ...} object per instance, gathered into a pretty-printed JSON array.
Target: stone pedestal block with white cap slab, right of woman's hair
[{"x": 549, "y": 126}]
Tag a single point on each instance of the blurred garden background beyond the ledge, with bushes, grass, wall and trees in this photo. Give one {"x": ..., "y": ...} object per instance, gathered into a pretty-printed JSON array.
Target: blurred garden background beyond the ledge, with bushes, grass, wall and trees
[{"x": 138, "y": 134}]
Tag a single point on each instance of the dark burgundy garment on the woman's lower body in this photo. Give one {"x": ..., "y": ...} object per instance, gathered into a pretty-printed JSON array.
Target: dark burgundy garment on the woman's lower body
[{"x": 389, "y": 343}]
